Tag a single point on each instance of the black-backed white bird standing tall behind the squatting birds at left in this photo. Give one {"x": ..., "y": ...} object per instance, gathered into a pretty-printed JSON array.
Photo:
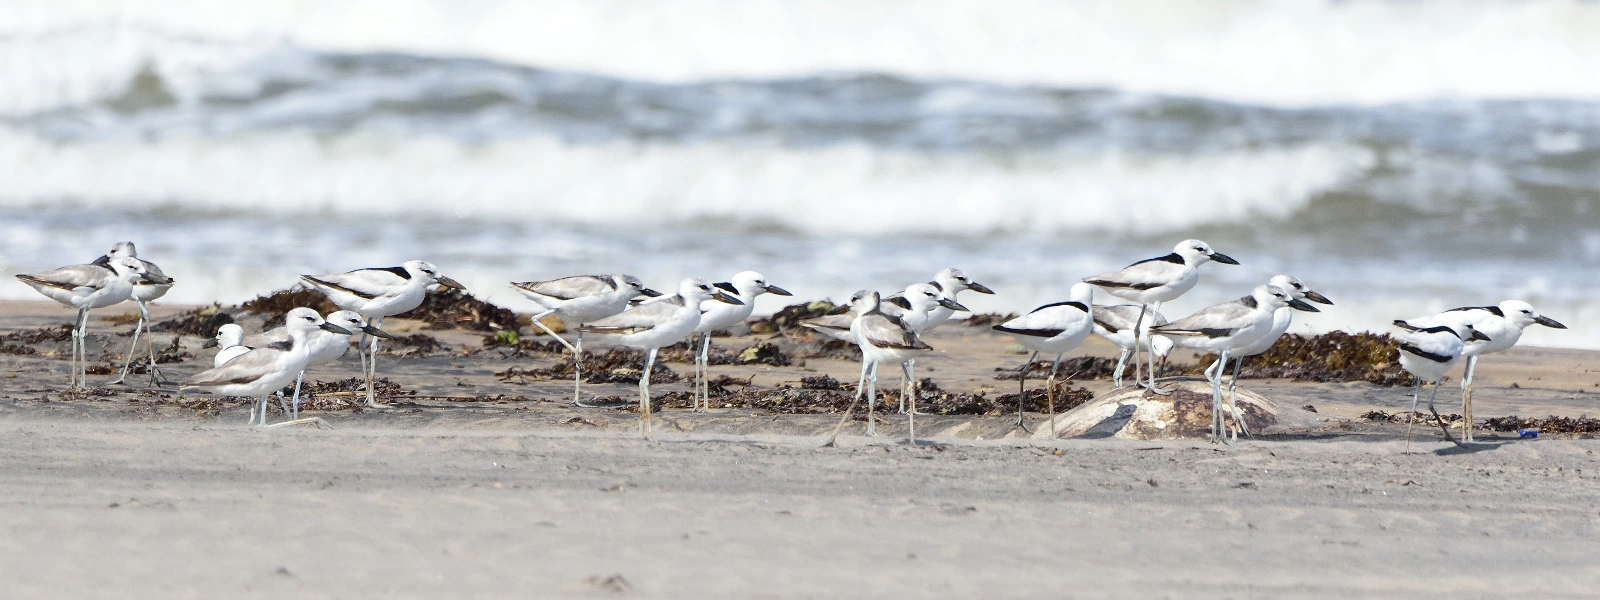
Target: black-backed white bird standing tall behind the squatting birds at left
[{"x": 378, "y": 294}]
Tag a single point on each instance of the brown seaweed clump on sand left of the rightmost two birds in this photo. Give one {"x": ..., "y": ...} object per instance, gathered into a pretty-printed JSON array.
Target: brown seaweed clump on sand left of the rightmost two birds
[{"x": 1335, "y": 356}]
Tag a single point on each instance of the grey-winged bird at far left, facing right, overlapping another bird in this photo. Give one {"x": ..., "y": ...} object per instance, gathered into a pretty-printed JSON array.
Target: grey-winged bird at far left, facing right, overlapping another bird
[{"x": 87, "y": 287}]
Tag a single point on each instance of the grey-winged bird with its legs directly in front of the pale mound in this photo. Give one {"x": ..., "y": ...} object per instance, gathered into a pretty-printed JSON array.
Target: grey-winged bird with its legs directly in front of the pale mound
[{"x": 1225, "y": 327}]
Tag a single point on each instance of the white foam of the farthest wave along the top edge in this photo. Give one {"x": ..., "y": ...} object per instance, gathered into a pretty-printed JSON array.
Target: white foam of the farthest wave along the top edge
[{"x": 1286, "y": 54}]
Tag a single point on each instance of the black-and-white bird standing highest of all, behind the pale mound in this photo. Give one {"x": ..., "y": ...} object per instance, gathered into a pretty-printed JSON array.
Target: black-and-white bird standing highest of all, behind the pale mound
[{"x": 1159, "y": 281}]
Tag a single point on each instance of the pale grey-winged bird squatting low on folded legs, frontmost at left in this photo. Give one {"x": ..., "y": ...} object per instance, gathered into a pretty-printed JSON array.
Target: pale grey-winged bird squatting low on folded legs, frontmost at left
[{"x": 260, "y": 372}]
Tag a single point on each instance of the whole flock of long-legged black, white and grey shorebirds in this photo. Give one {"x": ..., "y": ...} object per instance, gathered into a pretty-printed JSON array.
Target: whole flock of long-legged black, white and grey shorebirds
[{"x": 889, "y": 330}]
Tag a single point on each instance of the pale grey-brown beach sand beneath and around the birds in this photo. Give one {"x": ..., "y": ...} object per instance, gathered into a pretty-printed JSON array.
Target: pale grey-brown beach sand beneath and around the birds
[{"x": 124, "y": 498}]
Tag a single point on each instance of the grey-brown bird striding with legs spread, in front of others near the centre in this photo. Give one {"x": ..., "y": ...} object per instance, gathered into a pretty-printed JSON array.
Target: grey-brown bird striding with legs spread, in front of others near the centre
[{"x": 882, "y": 338}]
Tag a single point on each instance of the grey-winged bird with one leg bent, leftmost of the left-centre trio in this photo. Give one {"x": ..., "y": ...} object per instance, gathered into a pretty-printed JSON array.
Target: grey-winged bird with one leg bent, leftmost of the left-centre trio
[{"x": 582, "y": 300}]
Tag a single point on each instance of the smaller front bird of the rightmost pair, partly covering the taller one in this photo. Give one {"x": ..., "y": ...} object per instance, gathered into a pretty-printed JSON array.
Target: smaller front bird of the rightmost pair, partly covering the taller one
[{"x": 1430, "y": 348}]
